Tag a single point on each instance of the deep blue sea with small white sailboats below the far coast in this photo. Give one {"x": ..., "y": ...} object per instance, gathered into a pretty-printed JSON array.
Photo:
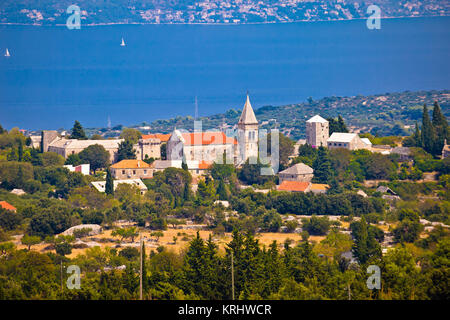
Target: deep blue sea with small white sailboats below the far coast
[{"x": 56, "y": 75}]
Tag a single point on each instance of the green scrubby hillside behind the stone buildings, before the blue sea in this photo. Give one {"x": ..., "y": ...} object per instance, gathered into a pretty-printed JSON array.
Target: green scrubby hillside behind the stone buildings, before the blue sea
[{"x": 383, "y": 114}]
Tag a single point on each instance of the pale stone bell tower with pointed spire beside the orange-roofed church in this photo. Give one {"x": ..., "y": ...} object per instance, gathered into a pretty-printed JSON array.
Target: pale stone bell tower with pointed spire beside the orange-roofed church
[{"x": 247, "y": 133}]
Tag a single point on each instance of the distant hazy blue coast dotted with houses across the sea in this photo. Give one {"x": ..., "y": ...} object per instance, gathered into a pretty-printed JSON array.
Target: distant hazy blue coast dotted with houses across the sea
[{"x": 48, "y": 12}]
